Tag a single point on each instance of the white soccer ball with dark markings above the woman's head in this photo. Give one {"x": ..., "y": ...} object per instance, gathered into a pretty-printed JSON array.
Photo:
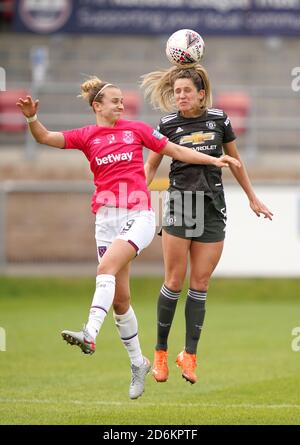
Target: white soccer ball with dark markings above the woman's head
[{"x": 185, "y": 47}]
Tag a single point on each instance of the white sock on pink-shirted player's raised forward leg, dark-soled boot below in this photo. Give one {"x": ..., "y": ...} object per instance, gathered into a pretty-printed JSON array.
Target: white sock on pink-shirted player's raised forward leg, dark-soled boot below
[{"x": 102, "y": 301}]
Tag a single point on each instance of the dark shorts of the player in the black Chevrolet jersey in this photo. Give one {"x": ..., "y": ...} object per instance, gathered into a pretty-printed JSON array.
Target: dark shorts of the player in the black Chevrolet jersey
[{"x": 198, "y": 218}]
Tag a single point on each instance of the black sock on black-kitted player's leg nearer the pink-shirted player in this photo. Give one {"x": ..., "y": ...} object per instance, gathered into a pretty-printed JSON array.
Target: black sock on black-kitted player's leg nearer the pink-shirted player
[{"x": 166, "y": 307}]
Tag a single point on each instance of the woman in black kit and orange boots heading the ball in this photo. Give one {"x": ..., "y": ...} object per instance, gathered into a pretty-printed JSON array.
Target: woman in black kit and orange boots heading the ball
[{"x": 195, "y": 195}]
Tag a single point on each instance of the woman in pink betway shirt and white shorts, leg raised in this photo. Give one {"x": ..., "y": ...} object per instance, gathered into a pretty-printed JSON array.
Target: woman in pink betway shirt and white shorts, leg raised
[{"x": 125, "y": 221}]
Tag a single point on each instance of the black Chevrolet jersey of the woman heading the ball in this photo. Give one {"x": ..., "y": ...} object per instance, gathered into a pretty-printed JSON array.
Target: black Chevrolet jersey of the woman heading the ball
[{"x": 205, "y": 134}]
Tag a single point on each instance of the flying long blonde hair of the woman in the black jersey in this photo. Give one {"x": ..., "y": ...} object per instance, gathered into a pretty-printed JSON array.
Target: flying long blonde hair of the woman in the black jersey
[{"x": 159, "y": 86}]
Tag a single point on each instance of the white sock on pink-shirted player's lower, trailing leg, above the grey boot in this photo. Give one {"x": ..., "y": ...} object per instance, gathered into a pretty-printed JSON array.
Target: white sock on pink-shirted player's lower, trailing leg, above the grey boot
[{"x": 128, "y": 330}]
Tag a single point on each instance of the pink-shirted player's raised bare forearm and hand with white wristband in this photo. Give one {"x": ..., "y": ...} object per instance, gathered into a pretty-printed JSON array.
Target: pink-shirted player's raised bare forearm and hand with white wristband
[{"x": 40, "y": 133}]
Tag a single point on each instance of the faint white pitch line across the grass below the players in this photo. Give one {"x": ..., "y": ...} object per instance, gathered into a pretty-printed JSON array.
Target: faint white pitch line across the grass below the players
[{"x": 139, "y": 404}]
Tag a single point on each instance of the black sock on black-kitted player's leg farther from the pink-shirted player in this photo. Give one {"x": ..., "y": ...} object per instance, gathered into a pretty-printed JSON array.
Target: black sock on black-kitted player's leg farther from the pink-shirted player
[{"x": 194, "y": 318}]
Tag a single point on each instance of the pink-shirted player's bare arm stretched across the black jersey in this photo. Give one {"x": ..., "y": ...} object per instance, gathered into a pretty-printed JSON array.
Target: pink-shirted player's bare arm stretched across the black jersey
[{"x": 189, "y": 156}]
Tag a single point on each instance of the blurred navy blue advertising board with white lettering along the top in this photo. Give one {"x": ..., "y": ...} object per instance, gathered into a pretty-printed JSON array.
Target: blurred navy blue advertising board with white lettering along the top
[{"x": 155, "y": 17}]
